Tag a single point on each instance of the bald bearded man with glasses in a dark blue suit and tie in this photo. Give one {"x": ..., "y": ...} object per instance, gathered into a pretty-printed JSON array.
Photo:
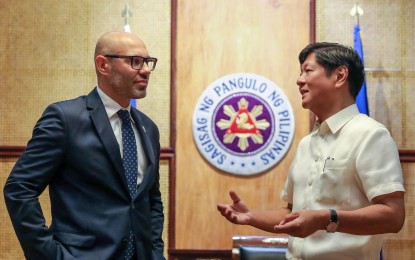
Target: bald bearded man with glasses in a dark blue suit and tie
[{"x": 78, "y": 150}]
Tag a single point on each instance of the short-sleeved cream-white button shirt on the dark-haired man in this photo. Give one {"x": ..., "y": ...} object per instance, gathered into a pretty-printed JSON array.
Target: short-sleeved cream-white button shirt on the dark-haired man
[{"x": 343, "y": 164}]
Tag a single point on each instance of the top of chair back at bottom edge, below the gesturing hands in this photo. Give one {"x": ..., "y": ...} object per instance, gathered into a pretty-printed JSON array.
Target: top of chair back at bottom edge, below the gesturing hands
[{"x": 259, "y": 247}]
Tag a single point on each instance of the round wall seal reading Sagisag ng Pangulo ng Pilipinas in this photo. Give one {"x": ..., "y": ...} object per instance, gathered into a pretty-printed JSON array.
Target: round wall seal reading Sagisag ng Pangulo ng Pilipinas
[{"x": 243, "y": 124}]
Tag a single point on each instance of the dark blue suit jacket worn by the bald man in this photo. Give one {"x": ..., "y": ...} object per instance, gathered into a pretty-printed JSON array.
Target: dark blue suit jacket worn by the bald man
[{"x": 73, "y": 150}]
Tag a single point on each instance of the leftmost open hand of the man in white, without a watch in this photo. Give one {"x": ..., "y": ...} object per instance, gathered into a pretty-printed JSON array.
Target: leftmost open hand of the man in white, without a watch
[{"x": 238, "y": 212}]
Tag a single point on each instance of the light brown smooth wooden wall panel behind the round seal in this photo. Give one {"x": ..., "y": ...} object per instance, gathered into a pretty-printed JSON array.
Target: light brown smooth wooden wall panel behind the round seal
[{"x": 216, "y": 38}]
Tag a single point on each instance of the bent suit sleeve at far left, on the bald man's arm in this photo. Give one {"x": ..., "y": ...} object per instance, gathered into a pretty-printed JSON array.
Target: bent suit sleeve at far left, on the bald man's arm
[{"x": 29, "y": 178}]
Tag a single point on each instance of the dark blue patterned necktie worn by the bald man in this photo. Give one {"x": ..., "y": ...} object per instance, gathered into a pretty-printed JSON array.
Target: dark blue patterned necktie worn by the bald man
[{"x": 130, "y": 166}]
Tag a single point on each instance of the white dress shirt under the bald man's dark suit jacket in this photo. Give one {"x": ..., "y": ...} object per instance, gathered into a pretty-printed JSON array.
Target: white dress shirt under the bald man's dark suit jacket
[{"x": 112, "y": 107}]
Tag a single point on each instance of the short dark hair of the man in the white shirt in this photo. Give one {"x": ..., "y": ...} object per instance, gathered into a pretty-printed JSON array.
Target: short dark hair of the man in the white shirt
[{"x": 332, "y": 55}]
